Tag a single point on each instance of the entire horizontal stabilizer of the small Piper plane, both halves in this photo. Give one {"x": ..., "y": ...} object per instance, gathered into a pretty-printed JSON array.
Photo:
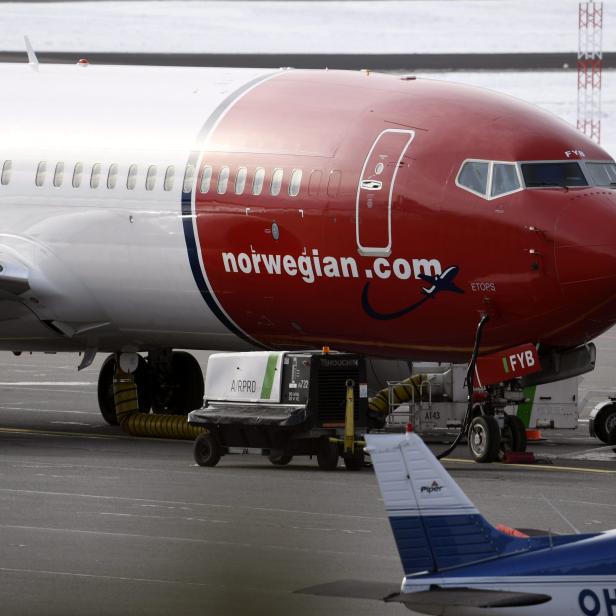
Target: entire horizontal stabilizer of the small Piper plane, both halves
[{"x": 435, "y": 597}]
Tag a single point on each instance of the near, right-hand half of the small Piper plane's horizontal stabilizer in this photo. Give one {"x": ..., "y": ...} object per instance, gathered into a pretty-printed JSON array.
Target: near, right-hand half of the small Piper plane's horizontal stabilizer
[{"x": 466, "y": 597}]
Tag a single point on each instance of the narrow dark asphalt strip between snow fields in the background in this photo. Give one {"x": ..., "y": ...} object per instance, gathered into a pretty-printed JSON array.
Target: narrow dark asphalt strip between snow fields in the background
[{"x": 380, "y": 62}]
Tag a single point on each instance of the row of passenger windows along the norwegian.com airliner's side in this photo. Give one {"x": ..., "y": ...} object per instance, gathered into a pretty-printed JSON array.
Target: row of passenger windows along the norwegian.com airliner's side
[{"x": 221, "y": 182}]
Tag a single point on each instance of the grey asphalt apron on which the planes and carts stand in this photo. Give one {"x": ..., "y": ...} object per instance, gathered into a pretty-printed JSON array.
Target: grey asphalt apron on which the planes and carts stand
[{"x": 95, "y": 521}]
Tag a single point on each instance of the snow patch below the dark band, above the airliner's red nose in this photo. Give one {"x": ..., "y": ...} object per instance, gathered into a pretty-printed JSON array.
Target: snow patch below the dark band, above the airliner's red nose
[{"x": 555, "y": 91}]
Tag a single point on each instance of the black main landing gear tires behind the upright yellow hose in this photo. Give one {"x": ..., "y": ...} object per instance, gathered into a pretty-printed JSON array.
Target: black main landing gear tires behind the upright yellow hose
[{"x": 168, "y": 382}]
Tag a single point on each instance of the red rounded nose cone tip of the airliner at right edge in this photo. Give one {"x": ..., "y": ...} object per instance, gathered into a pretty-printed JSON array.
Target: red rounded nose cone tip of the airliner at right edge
[{"x": 586, "y": 248}]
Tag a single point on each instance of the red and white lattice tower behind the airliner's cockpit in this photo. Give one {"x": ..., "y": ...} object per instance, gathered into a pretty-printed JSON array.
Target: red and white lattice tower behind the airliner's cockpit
[{"x": 590, "y": 62}]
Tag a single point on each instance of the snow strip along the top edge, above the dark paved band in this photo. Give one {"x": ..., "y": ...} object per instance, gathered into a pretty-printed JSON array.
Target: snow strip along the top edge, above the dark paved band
[{"x": 419, "y": 26}]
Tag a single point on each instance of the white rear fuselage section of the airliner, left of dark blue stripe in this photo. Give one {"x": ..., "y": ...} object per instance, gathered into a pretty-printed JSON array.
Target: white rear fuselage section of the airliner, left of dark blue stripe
[{"x": 111, "y": 262}]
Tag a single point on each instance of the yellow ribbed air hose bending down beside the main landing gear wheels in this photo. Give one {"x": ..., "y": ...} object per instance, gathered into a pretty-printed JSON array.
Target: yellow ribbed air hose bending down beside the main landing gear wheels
[{"x": 135, "y": 423}]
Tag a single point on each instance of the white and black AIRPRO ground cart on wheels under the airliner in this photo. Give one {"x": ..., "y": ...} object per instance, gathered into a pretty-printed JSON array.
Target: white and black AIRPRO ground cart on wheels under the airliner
[{"x": 284, "y": 404}]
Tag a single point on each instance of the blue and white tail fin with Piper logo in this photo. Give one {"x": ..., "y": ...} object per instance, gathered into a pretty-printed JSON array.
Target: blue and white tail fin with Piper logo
[{"x": 435, "y": 525}]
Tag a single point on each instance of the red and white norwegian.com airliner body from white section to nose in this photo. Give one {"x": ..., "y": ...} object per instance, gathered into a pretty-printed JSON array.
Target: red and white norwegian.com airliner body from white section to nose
[{"x": 147, "y": 209}]
